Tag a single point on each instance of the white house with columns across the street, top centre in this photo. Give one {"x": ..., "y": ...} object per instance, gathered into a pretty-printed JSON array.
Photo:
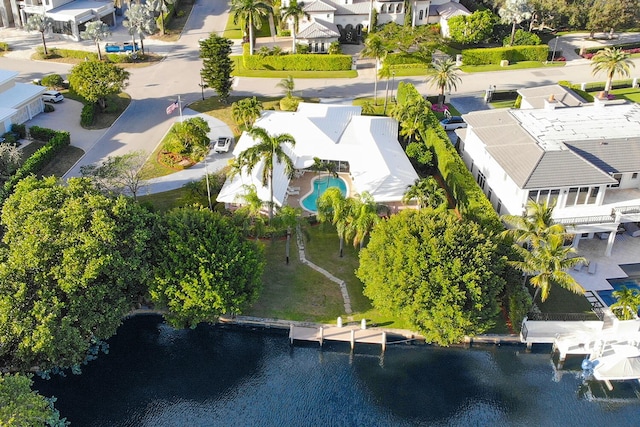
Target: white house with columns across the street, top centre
[{"x": 344, "y": 20}]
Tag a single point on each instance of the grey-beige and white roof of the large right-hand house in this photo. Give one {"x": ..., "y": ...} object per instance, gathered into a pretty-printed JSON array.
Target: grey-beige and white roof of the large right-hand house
[{"x": 552, "y": 148}]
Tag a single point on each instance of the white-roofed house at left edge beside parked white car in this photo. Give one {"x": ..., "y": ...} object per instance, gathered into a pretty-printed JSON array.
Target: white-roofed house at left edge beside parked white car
[{"x": 19, "y": 102}]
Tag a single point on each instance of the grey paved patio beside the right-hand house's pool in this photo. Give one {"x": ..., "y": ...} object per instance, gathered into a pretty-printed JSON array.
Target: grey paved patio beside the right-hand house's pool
[{"x": 626, "y": 250}]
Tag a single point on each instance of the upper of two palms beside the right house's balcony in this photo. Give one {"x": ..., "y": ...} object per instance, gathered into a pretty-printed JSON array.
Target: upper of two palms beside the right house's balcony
[{"x": 534, "y": 226}]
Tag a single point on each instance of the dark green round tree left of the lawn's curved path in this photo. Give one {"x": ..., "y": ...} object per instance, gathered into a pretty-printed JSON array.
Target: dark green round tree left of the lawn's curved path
[{"x": 205, "y": 267}]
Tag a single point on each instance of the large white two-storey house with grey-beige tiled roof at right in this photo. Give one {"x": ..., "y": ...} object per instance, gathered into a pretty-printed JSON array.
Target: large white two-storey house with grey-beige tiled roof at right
[{"x": 583, "y": 157}]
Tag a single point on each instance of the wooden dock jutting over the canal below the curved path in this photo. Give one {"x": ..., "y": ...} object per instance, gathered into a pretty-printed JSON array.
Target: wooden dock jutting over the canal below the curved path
[{"x": 350, "y": 334}]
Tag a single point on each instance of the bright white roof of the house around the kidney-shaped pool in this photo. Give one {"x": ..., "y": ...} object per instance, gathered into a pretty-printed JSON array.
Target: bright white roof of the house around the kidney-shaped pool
[{"x": 367, "y": 147}]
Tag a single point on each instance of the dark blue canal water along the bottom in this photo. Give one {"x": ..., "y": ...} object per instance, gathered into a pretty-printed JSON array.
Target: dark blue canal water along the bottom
[{"x": 212, "y": 376}]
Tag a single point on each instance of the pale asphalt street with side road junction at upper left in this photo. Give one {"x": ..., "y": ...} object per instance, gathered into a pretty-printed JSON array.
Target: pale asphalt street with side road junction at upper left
[{"x": 153, "y": 88}]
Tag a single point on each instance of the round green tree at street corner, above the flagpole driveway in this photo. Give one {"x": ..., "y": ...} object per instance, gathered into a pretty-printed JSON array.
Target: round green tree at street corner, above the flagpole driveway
[{"x": 94, "y": 80}]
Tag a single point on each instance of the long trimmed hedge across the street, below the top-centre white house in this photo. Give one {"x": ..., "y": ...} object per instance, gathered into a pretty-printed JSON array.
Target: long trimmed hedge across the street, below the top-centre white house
[{"x": 297, "y": 62}]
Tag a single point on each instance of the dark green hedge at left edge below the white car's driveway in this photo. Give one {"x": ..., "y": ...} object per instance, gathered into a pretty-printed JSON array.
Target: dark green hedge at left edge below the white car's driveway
[{"x": 56, "y": 141}]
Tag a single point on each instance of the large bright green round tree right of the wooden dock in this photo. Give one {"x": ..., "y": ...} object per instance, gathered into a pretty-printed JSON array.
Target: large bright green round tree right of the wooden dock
[{"x": 440, "y": 273}]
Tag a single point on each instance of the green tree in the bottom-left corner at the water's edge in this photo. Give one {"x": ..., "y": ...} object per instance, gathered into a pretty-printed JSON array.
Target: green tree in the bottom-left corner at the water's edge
[{"x": 22, "y": 407}]
